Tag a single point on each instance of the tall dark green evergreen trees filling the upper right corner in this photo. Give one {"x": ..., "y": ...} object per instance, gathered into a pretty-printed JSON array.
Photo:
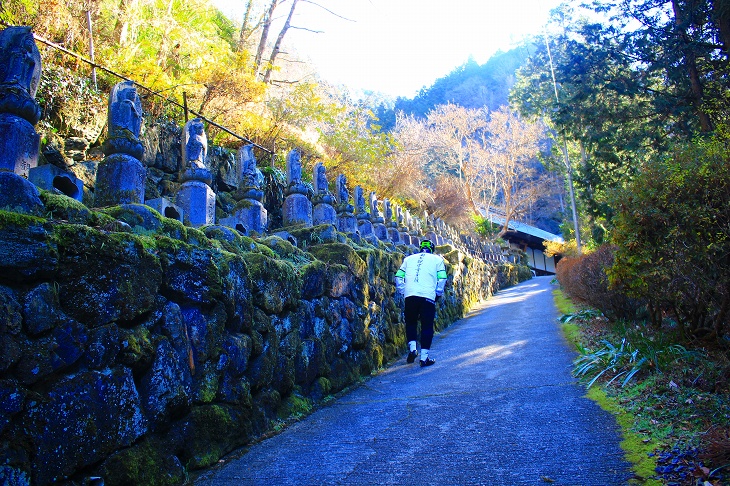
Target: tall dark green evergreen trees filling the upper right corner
[{"x": 626, "y": 89}]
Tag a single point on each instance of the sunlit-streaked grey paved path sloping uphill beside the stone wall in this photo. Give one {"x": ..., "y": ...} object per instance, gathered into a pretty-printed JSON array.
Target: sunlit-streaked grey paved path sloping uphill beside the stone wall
[{"x": 499, "y": 407}]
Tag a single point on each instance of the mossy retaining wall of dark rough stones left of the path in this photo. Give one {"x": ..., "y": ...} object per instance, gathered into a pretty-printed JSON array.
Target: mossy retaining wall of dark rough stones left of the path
[{"x": 135, "y": 349}]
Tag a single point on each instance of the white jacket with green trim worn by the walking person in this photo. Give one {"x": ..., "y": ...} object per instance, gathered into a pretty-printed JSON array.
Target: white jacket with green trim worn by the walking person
[{"x": 421, "y": 274}]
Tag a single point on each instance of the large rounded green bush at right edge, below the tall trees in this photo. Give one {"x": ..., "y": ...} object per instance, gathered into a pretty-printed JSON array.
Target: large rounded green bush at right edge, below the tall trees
[{"x": 673, "y": 237}]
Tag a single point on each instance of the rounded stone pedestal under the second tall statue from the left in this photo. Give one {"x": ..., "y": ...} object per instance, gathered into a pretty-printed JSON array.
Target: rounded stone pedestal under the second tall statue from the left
[{"x": 119, "y": 180}]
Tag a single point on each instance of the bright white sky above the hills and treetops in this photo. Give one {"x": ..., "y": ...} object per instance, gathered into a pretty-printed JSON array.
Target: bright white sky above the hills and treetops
[{"x": 399, "y": 46}]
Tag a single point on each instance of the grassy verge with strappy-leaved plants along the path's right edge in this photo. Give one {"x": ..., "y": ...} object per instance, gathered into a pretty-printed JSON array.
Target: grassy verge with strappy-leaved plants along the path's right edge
[{"x": 671, "y": 401}]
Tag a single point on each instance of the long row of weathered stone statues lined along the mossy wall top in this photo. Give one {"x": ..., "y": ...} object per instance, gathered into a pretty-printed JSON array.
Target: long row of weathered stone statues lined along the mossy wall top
[{"x": 120, "y": 178}]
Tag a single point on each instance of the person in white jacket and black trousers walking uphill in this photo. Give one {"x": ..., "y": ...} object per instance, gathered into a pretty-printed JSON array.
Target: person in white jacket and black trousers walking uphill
[{"x": 421, "y": 279}]
